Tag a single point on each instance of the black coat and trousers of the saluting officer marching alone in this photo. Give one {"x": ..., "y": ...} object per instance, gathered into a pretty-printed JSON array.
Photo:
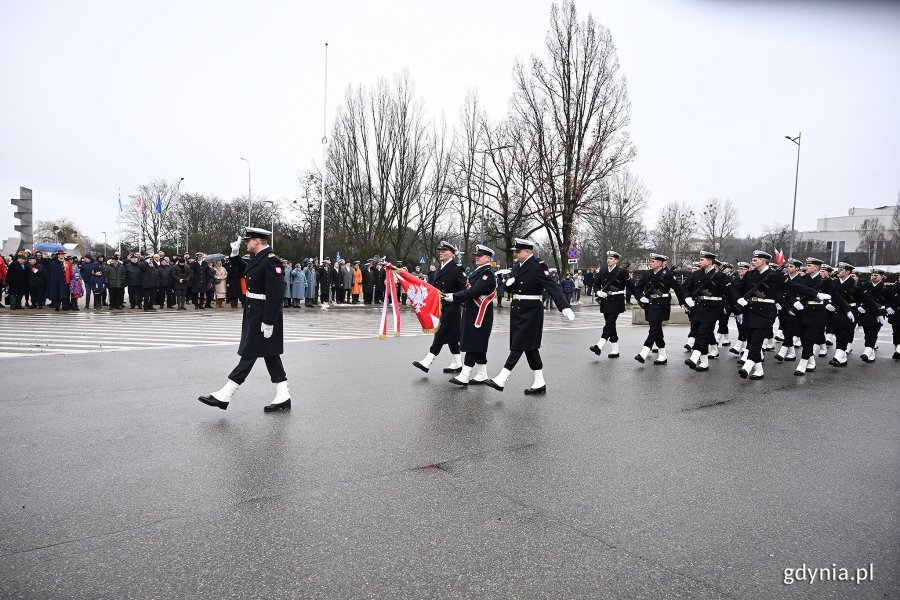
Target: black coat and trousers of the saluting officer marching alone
[{"x": 264, "y": 275}]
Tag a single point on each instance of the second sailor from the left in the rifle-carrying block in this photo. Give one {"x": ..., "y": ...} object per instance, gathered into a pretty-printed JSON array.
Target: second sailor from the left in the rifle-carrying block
[{"x": 657, "y": 303}]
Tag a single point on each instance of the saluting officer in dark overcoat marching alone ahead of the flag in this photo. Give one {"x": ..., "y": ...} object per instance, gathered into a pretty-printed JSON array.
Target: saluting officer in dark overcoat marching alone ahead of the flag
[{"x": 262, "y": 333}]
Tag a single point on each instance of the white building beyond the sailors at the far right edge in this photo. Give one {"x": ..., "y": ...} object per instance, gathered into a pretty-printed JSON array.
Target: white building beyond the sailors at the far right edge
[{"x": 841, "y": 234}]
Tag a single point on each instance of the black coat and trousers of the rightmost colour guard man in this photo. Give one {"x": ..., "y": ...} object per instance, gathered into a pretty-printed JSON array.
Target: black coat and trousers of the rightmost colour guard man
[{"x": 526, "y": 317}]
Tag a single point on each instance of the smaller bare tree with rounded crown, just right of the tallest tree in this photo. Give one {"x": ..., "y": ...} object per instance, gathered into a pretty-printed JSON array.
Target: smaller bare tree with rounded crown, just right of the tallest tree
[{"x": 614, "y": 217}]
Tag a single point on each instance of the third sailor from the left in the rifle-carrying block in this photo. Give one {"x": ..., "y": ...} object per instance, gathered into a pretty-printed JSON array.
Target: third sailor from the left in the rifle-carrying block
[{"x": 707, "y": 293}]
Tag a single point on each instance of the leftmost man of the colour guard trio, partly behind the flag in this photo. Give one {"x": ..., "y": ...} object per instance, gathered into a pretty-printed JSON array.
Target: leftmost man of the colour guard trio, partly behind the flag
[{"x": 449, "y": 279}]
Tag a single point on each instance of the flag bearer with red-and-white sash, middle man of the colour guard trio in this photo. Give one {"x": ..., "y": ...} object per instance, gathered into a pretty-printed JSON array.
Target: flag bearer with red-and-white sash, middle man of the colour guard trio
[{"x": 477, "y": 302}]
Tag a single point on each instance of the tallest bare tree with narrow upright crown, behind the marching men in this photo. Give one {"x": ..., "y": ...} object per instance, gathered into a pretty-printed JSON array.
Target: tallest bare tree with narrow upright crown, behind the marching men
[{"x": 576, "y": 107}]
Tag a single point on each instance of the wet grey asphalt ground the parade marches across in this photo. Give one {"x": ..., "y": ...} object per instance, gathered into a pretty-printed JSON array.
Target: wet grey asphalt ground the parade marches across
[{"x": 624, "y": 481}]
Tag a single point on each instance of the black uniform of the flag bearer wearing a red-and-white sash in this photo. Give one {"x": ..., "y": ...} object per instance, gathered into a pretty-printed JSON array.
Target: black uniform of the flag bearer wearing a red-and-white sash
[{"x": 480, "y": 284}]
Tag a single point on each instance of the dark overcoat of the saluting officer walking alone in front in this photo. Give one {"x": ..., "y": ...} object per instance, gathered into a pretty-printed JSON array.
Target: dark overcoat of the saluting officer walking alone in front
[{"x": 264, "y": 275}]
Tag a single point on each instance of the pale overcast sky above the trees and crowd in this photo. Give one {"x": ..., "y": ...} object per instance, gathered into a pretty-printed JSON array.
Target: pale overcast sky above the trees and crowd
[{"x": 99, "y": 96}]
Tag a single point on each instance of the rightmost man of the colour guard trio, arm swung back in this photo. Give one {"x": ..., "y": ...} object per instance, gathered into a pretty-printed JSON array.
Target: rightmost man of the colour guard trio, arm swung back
[{"x": 529, "y": 277}]
